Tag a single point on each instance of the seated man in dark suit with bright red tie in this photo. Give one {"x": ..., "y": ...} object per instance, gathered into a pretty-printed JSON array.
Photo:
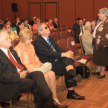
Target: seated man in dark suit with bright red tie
[{"x": 15, "y": 79}]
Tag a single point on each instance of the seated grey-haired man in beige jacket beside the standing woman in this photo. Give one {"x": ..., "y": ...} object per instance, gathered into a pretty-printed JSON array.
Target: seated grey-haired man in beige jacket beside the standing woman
[{"x": 87, "y": 39}]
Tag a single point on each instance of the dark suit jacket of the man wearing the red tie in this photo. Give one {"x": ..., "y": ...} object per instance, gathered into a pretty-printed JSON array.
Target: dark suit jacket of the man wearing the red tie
[{"x": 9, "y": 78}]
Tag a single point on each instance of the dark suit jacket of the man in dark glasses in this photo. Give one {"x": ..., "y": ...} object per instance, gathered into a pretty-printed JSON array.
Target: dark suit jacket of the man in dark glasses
[{"x": 44, "y": 52}]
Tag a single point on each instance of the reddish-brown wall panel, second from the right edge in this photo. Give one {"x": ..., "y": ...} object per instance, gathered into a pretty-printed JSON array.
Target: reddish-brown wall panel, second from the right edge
[{"x": 84, "y": 8}]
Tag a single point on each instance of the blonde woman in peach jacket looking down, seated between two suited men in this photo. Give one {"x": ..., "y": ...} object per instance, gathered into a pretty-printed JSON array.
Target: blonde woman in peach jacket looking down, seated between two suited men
[{"x": 28, "y": 57}]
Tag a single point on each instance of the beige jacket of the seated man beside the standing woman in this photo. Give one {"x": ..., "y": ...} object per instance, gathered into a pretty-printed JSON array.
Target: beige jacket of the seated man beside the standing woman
[{"x": 87, "y": 42}]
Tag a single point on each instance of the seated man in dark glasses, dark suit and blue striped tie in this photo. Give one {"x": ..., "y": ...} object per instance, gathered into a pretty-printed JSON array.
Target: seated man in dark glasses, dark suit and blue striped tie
[{"x": 62, "y": 64}]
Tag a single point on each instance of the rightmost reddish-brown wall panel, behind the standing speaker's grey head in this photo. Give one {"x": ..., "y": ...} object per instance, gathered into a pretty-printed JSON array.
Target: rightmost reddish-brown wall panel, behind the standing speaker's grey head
[{"x": 98, "y": 4}]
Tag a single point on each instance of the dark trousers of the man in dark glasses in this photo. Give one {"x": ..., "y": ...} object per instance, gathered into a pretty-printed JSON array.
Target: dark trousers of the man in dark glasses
[{"x": 59, "y": 68}]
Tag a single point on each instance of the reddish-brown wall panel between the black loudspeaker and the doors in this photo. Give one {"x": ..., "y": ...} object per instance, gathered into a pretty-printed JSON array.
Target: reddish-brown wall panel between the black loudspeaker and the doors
[{"x": 22, "y": 6}]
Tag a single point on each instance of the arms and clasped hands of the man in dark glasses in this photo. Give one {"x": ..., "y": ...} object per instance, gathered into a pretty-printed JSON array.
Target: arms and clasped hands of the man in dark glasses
[{"x": 41, "y": 48}]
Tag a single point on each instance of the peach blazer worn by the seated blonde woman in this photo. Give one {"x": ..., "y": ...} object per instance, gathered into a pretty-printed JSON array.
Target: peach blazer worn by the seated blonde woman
[{"x": 28, "y": 56}]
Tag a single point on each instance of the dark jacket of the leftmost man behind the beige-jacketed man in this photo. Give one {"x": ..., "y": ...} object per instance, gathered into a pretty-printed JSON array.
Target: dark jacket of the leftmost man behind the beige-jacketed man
[{"x": 76, "y": 29}]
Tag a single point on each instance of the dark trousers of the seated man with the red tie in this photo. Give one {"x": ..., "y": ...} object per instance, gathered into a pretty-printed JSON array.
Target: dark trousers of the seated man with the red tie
[{"x": 35, "y": 83}]
